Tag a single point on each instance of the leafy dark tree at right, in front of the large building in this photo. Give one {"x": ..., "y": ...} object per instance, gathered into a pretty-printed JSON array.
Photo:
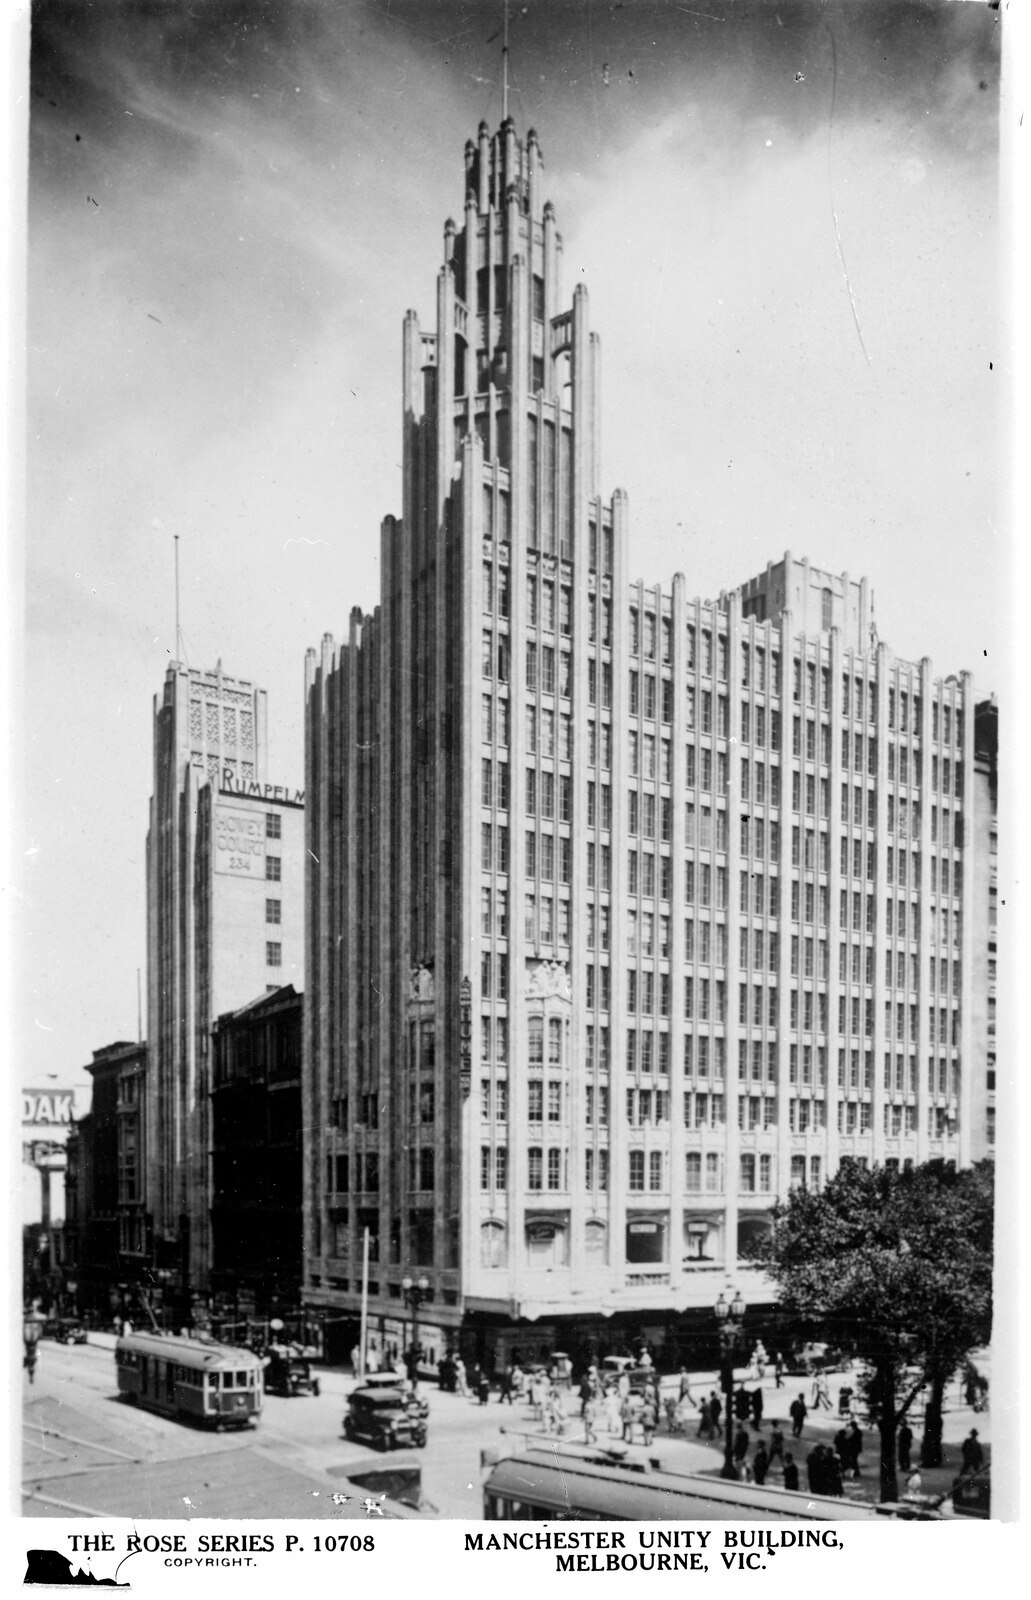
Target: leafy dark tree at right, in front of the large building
[{"x": 901, "y": 1266}]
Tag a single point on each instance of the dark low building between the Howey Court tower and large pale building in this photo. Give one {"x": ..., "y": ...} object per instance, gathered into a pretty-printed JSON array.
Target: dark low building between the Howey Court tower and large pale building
[{"x": 257, "y": 1158}]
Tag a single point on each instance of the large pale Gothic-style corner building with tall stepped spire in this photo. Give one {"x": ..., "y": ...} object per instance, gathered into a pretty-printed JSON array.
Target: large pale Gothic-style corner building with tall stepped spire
[{"x": 627, "y": 910}]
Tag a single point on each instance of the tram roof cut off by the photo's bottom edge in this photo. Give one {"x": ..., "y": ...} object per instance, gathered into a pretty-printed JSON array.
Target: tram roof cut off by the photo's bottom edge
[{"x": 553, "y": 1486}]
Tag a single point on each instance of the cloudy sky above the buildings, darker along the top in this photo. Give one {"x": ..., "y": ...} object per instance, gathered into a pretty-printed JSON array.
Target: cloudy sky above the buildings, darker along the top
[{"x": 788, "y": 222}]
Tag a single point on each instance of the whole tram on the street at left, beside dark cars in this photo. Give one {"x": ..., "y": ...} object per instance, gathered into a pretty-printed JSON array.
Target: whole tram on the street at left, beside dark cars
[{"x": 217, "y": 1385}]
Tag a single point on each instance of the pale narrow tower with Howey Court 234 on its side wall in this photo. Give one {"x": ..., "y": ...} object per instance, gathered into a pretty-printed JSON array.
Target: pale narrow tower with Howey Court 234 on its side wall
[{"x": 225, "y": 922}]
